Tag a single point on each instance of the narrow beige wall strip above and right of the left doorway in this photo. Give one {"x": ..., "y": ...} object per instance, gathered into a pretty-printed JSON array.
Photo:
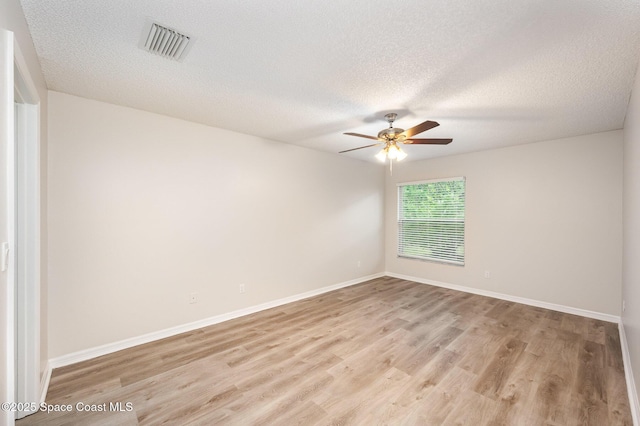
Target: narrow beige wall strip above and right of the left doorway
[{"x": 12, "y": 19}]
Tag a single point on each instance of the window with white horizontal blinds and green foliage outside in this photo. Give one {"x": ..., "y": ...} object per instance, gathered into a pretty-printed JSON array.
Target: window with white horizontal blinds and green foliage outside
[{"x": 431, "y": 220}]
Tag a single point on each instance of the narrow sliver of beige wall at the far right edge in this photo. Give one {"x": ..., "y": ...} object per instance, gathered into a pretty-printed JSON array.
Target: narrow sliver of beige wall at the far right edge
[{"x": 631, "y": 259}]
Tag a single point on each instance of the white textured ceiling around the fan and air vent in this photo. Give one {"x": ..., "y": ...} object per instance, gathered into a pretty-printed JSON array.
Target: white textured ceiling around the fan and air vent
[{"x": 493, "y": 73}]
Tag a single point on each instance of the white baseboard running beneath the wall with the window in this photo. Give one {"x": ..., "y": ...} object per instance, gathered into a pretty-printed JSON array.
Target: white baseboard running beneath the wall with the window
[{"x": 517, "y": 299}]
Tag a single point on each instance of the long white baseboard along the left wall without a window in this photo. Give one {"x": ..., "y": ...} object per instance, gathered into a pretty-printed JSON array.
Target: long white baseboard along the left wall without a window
[{"x": 87, "y": 354}]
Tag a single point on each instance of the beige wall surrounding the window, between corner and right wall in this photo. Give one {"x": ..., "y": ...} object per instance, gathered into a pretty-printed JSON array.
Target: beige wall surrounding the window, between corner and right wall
[{"x": 544, "y": 218}]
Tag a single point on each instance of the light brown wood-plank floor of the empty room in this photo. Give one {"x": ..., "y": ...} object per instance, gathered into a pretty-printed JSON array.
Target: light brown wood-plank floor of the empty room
[{"x": 387, "y": 351}]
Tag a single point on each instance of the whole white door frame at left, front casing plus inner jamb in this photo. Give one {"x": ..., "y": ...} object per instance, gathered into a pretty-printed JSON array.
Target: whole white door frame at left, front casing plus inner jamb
[{"x": 22, "y": 176}]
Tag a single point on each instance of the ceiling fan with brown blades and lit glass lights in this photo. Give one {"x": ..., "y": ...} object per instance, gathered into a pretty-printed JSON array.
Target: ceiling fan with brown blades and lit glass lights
[{"x": 393, "y": 136}]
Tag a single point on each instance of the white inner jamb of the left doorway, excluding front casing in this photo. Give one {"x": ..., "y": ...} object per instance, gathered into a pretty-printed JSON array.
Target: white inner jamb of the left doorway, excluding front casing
[{"x": 27, "y": 228}]
